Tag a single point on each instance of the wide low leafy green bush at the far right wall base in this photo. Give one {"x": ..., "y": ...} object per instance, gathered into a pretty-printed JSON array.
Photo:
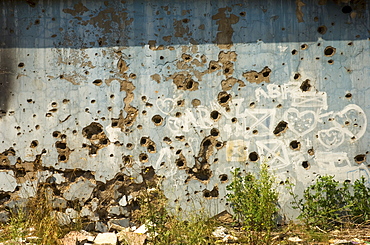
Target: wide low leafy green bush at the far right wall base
[{"x": 329, "y": 204}]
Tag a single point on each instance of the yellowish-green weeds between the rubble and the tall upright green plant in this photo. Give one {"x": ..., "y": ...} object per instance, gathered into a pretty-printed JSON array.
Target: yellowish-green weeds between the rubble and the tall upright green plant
[{"x": 178, "y": 228}]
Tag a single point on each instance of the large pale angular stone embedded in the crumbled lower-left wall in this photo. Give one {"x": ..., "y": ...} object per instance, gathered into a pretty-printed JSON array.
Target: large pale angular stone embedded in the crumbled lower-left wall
[{"x": 80, "y": 190}]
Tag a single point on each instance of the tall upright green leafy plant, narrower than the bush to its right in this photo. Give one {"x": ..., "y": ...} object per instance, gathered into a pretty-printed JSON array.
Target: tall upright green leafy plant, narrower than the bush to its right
[{"x": 254, "y": 199}]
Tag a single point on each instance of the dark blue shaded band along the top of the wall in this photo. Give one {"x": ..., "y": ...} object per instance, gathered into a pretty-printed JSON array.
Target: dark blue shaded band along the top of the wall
[{"x": 73, "y": 24}]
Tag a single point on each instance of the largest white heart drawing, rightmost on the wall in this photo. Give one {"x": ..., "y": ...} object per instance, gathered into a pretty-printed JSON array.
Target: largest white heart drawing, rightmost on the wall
[{"x": 352, "y": 120}]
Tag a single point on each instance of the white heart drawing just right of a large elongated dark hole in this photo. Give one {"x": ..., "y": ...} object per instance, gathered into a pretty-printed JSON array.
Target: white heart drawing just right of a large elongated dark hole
[{"x": 300, "y": 123}]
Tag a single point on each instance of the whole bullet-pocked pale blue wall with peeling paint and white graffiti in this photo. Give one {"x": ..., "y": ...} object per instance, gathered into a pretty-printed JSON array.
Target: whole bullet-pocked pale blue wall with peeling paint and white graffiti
[{"x": 98, "y": 97}]
